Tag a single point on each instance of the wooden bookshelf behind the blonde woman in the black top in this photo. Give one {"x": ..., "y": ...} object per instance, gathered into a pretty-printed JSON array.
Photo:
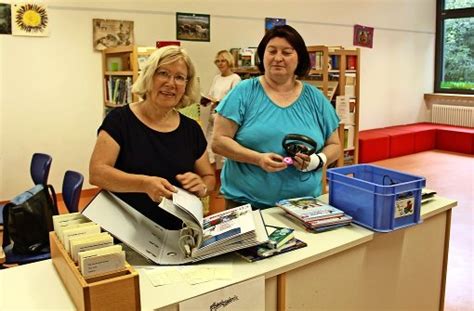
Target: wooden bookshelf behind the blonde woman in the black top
[{"x": 120, "y": 68}]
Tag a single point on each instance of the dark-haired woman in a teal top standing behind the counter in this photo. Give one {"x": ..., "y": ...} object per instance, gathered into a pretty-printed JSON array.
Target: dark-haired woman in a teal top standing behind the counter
[{"x": 258, "y": 113}]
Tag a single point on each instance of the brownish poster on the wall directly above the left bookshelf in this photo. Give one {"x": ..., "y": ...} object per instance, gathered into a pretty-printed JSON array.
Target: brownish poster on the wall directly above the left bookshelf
[{"x": 111, "y": 33}]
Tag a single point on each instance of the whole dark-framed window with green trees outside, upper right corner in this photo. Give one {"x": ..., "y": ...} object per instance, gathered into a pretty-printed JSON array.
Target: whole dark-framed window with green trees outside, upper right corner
[{"x": 454, "y": 68}]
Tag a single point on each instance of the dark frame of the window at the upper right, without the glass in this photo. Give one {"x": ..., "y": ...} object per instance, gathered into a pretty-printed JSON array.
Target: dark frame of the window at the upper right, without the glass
[{"x": 441, "y": 16}]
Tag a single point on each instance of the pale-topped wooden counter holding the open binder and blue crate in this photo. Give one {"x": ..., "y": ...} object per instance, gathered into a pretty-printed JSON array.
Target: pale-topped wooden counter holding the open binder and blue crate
[{"x": 348, "y": 268}]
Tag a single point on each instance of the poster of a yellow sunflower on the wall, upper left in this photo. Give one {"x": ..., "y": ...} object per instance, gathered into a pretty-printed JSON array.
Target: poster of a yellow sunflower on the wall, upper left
[{"x": 30, "y": 19}]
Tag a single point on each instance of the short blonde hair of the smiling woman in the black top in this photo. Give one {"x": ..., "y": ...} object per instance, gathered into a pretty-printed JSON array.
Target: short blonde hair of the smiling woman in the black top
[{"x": 164, "y": 56}]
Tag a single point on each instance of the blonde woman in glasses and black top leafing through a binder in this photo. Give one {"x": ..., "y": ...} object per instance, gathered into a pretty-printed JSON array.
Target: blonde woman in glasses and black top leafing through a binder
[{"x": 146, "y": 148}]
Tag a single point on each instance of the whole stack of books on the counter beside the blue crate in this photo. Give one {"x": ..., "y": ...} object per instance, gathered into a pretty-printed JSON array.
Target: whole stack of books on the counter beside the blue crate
[{"x": 315, "y": 216}]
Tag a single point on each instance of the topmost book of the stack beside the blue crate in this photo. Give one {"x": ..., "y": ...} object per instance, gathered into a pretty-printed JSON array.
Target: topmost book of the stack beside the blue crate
[{"x": 308, "y": 208}]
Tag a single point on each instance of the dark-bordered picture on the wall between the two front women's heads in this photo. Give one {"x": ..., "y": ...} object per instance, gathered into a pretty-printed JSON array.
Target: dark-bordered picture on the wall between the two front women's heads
[{"x": 193, "y": 27}]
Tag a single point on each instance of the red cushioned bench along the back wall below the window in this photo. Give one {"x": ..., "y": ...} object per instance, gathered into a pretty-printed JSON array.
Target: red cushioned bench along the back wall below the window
[{"x": 395, "y": 141}]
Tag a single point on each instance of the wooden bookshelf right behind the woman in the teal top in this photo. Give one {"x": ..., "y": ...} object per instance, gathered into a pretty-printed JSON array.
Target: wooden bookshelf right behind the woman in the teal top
[{"x": 336, "y": 72}]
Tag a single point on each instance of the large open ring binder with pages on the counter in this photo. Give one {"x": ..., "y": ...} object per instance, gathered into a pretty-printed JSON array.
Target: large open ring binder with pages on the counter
[{"x": 200, "y": 237}]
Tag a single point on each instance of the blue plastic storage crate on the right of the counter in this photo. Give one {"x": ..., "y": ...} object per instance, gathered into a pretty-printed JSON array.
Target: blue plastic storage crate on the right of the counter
[{"x": 377, "y": 198}]
